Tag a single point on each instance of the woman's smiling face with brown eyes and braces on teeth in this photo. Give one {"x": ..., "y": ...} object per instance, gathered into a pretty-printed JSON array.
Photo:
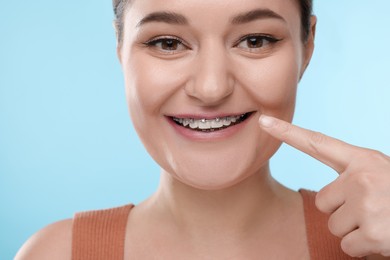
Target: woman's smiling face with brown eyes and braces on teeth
[{"x": 199, "y": 74}]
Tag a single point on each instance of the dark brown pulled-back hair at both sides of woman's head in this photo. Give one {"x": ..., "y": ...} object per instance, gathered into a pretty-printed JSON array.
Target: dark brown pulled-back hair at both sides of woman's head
[{"x": 120, "y": 6}]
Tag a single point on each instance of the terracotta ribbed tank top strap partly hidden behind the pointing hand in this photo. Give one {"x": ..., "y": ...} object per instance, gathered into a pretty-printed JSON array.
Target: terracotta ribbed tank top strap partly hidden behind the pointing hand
[{"x": 322, "y": 244}]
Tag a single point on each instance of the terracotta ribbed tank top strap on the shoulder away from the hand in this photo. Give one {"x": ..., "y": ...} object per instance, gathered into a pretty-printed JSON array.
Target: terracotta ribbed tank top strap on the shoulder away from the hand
[{"x": 100, "y": 235}]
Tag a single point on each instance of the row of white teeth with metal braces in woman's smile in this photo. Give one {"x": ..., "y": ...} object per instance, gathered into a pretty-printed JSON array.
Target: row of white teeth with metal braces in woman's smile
[{"x": 208, "y": 124}]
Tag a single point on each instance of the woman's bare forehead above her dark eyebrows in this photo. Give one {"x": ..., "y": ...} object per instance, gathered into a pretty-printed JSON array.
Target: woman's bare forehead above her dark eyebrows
[{"x": 209, "y": 12}]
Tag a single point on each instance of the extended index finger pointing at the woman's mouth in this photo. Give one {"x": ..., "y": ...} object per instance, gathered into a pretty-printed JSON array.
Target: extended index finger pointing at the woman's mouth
[{"x": 328, "y": 150}]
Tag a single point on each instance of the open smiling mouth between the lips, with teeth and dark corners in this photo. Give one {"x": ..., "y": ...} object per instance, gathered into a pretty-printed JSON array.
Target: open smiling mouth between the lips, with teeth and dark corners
[{"x": 211, "y": 125}]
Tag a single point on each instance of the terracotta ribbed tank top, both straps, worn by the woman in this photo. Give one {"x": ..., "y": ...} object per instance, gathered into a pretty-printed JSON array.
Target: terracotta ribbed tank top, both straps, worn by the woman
[{"x": 100, "y": 235}]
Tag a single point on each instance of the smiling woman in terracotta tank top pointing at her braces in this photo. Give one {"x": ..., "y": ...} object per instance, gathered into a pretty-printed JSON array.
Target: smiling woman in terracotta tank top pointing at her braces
[{"x": 211, "y": 90}]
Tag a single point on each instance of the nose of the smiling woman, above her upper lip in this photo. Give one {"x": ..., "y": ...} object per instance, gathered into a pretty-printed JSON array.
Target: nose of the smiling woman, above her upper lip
[{"x": 211, "y": 81}]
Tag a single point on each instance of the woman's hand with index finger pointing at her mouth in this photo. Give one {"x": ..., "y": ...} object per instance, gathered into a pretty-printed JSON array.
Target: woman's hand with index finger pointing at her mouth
[{"x": 358, "y": 201}]
